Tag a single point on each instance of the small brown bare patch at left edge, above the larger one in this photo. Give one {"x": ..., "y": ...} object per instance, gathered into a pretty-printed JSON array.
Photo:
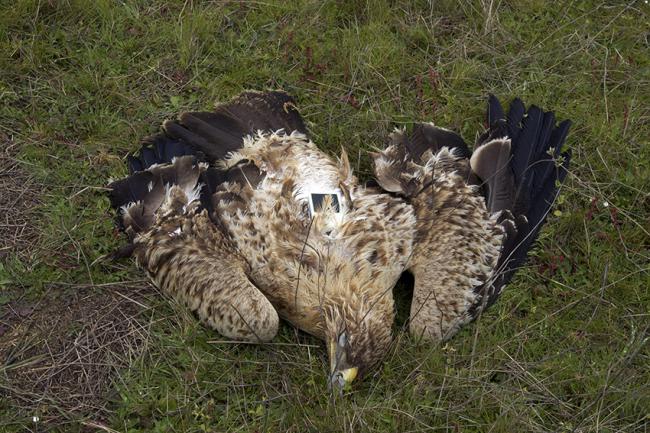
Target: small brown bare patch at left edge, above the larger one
[{"x": 19, "y": 196}]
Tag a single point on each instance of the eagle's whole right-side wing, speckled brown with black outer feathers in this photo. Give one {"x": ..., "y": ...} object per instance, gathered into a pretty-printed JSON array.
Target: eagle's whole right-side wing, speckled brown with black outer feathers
[{"x": 477, "y": 214}]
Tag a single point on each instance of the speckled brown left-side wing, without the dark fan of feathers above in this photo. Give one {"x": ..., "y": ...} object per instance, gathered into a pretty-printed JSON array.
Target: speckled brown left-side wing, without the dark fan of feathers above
[{"x": 186, "y": 255}]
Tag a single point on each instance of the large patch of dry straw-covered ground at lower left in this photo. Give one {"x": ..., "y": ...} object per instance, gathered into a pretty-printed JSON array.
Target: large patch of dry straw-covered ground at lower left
[{"x": 60, "y": 357}]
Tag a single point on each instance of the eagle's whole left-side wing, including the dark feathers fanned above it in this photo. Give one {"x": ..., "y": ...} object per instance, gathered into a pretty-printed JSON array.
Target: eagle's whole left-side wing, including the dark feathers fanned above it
[{"x": 167, "y": 205}]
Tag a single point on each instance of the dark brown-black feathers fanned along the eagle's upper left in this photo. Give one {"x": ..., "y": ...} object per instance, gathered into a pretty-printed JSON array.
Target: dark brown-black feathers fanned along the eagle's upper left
[{"x": 207, "y": 137}]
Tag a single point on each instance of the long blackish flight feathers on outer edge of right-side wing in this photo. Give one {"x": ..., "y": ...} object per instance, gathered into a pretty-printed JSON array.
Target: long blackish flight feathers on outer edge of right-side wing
[{"x": 523, "y": 184}]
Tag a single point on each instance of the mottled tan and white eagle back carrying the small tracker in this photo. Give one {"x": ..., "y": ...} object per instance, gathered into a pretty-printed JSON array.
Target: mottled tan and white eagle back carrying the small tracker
[{"x": 299, "y": 261}]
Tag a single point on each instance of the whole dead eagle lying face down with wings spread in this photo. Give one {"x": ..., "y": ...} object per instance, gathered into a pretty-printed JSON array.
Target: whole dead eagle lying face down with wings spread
[{"x": 240, "y": 216}]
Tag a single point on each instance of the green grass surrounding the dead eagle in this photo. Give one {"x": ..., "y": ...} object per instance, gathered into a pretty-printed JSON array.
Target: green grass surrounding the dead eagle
[{"x": 565, "y": 348}]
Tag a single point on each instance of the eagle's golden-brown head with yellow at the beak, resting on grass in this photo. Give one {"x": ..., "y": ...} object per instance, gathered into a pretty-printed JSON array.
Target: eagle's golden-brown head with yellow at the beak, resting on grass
[{"x": 357, "y": 332}]
